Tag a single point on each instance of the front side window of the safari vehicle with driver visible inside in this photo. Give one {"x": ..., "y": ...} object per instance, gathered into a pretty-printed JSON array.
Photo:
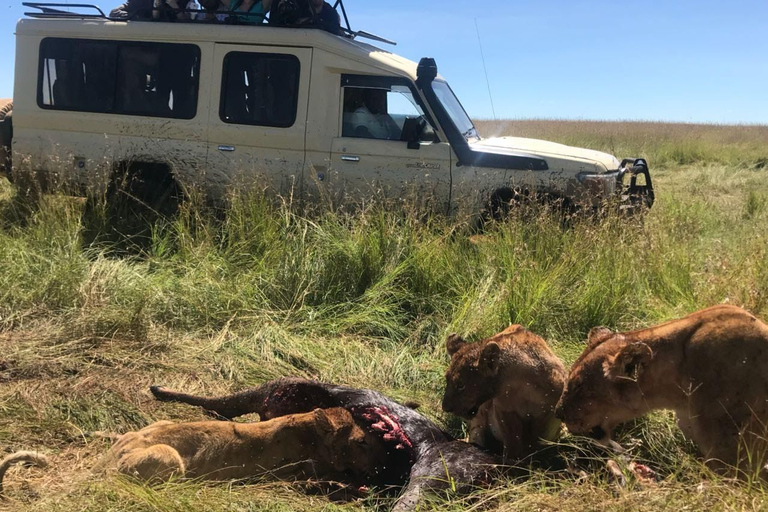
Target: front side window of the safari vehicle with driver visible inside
[{"x": 380, "y": 113}]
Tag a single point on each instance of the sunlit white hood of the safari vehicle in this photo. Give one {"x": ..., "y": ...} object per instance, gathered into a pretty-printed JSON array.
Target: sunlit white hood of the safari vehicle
[{"x": 545, "y": 149}]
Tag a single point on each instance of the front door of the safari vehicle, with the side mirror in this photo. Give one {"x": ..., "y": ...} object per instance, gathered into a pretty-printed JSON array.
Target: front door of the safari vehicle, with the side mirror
[{"x": 387, "y": 145}]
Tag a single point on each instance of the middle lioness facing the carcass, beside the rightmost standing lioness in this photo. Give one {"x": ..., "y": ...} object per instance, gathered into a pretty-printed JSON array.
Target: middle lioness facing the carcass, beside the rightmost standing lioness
[{"x": 507, "y": 387}]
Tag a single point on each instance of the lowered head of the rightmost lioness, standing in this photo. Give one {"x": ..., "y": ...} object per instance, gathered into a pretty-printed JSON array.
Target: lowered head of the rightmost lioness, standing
[{"x": 603, "y": 386}]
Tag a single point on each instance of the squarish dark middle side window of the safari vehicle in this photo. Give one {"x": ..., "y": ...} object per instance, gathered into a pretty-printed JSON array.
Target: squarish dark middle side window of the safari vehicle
[{"x": 260, "y": 89}]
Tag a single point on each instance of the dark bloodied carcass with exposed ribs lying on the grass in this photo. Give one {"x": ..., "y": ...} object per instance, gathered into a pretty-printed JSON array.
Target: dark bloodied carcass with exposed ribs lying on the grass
[{"x": 419, "y": 453}]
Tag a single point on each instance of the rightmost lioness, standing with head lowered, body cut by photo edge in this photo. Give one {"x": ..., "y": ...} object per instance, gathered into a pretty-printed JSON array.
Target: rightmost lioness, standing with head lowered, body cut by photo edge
[{"x": 710, "y": 367}]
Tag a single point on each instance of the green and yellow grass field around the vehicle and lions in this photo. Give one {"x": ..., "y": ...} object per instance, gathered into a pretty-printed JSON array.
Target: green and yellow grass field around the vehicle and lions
[{"x": 268, "y": 290}]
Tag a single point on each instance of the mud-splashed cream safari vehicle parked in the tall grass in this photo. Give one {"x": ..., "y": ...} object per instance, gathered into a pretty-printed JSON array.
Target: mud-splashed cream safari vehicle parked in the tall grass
[{"x": 290, "y": 110}]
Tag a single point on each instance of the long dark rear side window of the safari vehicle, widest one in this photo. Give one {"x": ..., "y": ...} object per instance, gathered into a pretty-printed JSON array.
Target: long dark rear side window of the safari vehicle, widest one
[{"x": 119, "y": 77}]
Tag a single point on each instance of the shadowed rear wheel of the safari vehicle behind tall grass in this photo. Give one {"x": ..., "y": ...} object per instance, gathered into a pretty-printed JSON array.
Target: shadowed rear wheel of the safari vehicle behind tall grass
[{"x": 139, "y": 196}]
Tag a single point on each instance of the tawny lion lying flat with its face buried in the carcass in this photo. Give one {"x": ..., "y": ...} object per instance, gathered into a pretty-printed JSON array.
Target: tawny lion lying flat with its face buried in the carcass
[{"x": 325, "y": 444}]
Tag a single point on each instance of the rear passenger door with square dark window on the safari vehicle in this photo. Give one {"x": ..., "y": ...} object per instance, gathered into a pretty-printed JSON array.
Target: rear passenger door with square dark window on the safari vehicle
[{"x": 256, "y": 136}]
